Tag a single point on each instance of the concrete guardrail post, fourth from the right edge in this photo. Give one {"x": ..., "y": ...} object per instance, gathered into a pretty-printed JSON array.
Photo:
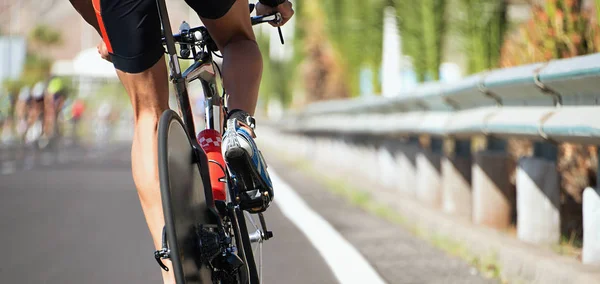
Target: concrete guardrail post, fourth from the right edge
[{"x": 456, "y": 181}]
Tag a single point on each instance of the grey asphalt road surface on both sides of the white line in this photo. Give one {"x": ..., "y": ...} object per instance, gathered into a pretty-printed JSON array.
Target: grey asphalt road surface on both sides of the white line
[{"x": 73, "y": 216}]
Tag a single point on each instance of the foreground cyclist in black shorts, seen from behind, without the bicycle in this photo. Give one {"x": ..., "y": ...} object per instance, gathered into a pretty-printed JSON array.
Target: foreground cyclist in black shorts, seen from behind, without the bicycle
[{"x": 131, "y": 35}]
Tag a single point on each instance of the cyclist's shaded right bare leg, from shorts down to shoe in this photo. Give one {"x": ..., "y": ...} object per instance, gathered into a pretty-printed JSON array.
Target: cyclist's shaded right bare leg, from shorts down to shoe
[{"x": 242, "y": 60}]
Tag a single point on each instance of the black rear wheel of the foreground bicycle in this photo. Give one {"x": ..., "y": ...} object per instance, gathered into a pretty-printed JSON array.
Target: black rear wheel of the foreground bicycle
[{"x": 184, "y": 200}]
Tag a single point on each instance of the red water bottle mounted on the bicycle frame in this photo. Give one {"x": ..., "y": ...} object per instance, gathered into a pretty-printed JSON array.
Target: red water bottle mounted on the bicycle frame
[{"x": 210, "y": 141}]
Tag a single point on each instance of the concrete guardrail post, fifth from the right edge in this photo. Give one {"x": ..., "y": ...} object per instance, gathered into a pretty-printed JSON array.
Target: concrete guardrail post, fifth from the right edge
[{"x": 429, "y": 178}]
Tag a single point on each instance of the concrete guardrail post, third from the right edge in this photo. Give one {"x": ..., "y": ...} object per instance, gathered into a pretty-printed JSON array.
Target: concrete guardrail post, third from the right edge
[{"x": 492, "y": 193}]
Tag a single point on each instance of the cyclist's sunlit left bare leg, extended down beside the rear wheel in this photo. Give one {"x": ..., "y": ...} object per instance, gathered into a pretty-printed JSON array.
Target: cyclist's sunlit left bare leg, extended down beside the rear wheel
[{"x": 149, "y": 93}]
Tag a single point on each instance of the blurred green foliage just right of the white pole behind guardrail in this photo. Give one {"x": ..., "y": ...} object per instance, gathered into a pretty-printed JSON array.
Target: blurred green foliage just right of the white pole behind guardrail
[{"x": 423, "y": 27}]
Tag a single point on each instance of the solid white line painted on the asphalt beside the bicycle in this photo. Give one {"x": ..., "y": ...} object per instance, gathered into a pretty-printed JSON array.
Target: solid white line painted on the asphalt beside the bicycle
[{"x": 346, "y": 263}]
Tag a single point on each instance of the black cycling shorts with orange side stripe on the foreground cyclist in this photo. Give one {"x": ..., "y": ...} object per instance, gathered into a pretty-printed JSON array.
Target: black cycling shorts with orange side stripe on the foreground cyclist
[{"x": 131, "y": 29}]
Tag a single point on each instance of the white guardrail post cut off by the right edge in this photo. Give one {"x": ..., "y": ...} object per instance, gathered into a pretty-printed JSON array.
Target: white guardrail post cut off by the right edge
[{"x": 591, "y": 227}]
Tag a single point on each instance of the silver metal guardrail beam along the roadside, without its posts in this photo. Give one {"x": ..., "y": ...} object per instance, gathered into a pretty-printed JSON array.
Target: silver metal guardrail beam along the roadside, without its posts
[{"x": 557, "y": 101}]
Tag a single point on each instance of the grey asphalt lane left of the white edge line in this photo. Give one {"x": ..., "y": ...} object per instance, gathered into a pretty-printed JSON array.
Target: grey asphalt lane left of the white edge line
[{"x": 80, "y": 221}]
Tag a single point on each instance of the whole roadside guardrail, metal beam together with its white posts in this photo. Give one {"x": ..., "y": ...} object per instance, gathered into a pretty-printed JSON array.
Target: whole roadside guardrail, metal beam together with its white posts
[{"x": 548, "y": 103}]
